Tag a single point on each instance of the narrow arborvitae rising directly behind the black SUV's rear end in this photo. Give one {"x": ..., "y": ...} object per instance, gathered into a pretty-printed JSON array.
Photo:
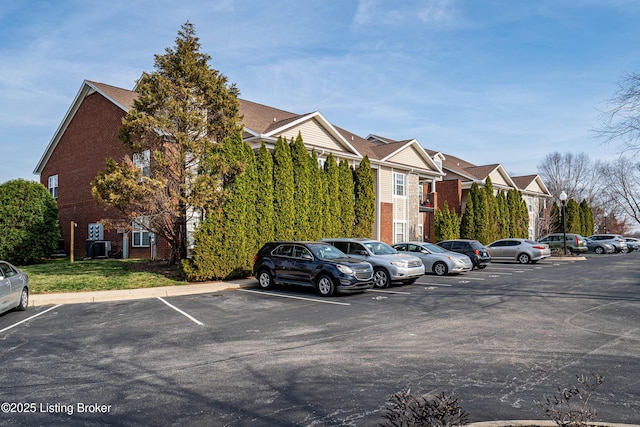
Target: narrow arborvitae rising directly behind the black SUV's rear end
[{"x": 264, "y": 196}]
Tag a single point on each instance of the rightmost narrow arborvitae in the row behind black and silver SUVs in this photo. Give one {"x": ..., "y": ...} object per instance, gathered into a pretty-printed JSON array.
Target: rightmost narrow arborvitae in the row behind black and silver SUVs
[{"x": 365, "y": 200}]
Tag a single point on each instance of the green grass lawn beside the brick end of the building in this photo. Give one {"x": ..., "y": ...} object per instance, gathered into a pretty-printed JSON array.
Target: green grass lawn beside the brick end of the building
[{"x": 99, "y": 275}]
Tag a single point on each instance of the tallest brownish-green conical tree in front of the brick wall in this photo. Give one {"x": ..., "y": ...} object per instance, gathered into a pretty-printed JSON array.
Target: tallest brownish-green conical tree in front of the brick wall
[{"x": 183, "y": 110}]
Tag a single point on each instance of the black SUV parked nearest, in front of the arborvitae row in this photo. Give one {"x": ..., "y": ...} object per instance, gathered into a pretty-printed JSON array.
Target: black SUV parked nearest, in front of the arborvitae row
[{"x": 316, "y": 264}]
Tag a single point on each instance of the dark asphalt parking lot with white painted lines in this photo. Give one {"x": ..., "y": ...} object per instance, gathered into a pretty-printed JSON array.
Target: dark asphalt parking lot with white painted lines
[{"x": 498, "y": 339}]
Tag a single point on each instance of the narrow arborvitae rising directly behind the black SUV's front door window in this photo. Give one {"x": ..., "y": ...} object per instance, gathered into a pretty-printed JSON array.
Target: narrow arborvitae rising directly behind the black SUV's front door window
[{"x": 302, "y": 185}]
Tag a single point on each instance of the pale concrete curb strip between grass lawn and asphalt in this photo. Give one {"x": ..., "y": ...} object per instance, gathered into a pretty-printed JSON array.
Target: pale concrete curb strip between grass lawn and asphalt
[{"x": 132, "y": 294}]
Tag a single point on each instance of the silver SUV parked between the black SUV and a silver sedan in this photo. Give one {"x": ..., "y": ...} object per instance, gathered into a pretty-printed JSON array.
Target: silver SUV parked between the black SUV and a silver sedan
[{"x": 388, "y": 265}]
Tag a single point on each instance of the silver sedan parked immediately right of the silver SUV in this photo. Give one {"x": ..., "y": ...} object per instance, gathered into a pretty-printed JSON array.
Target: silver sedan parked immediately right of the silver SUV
[{"x": 436, "y": 259}]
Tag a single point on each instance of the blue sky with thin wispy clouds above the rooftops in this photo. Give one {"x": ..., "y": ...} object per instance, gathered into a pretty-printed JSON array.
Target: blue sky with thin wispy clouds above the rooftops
[{"x": 490, "y": 81}]
